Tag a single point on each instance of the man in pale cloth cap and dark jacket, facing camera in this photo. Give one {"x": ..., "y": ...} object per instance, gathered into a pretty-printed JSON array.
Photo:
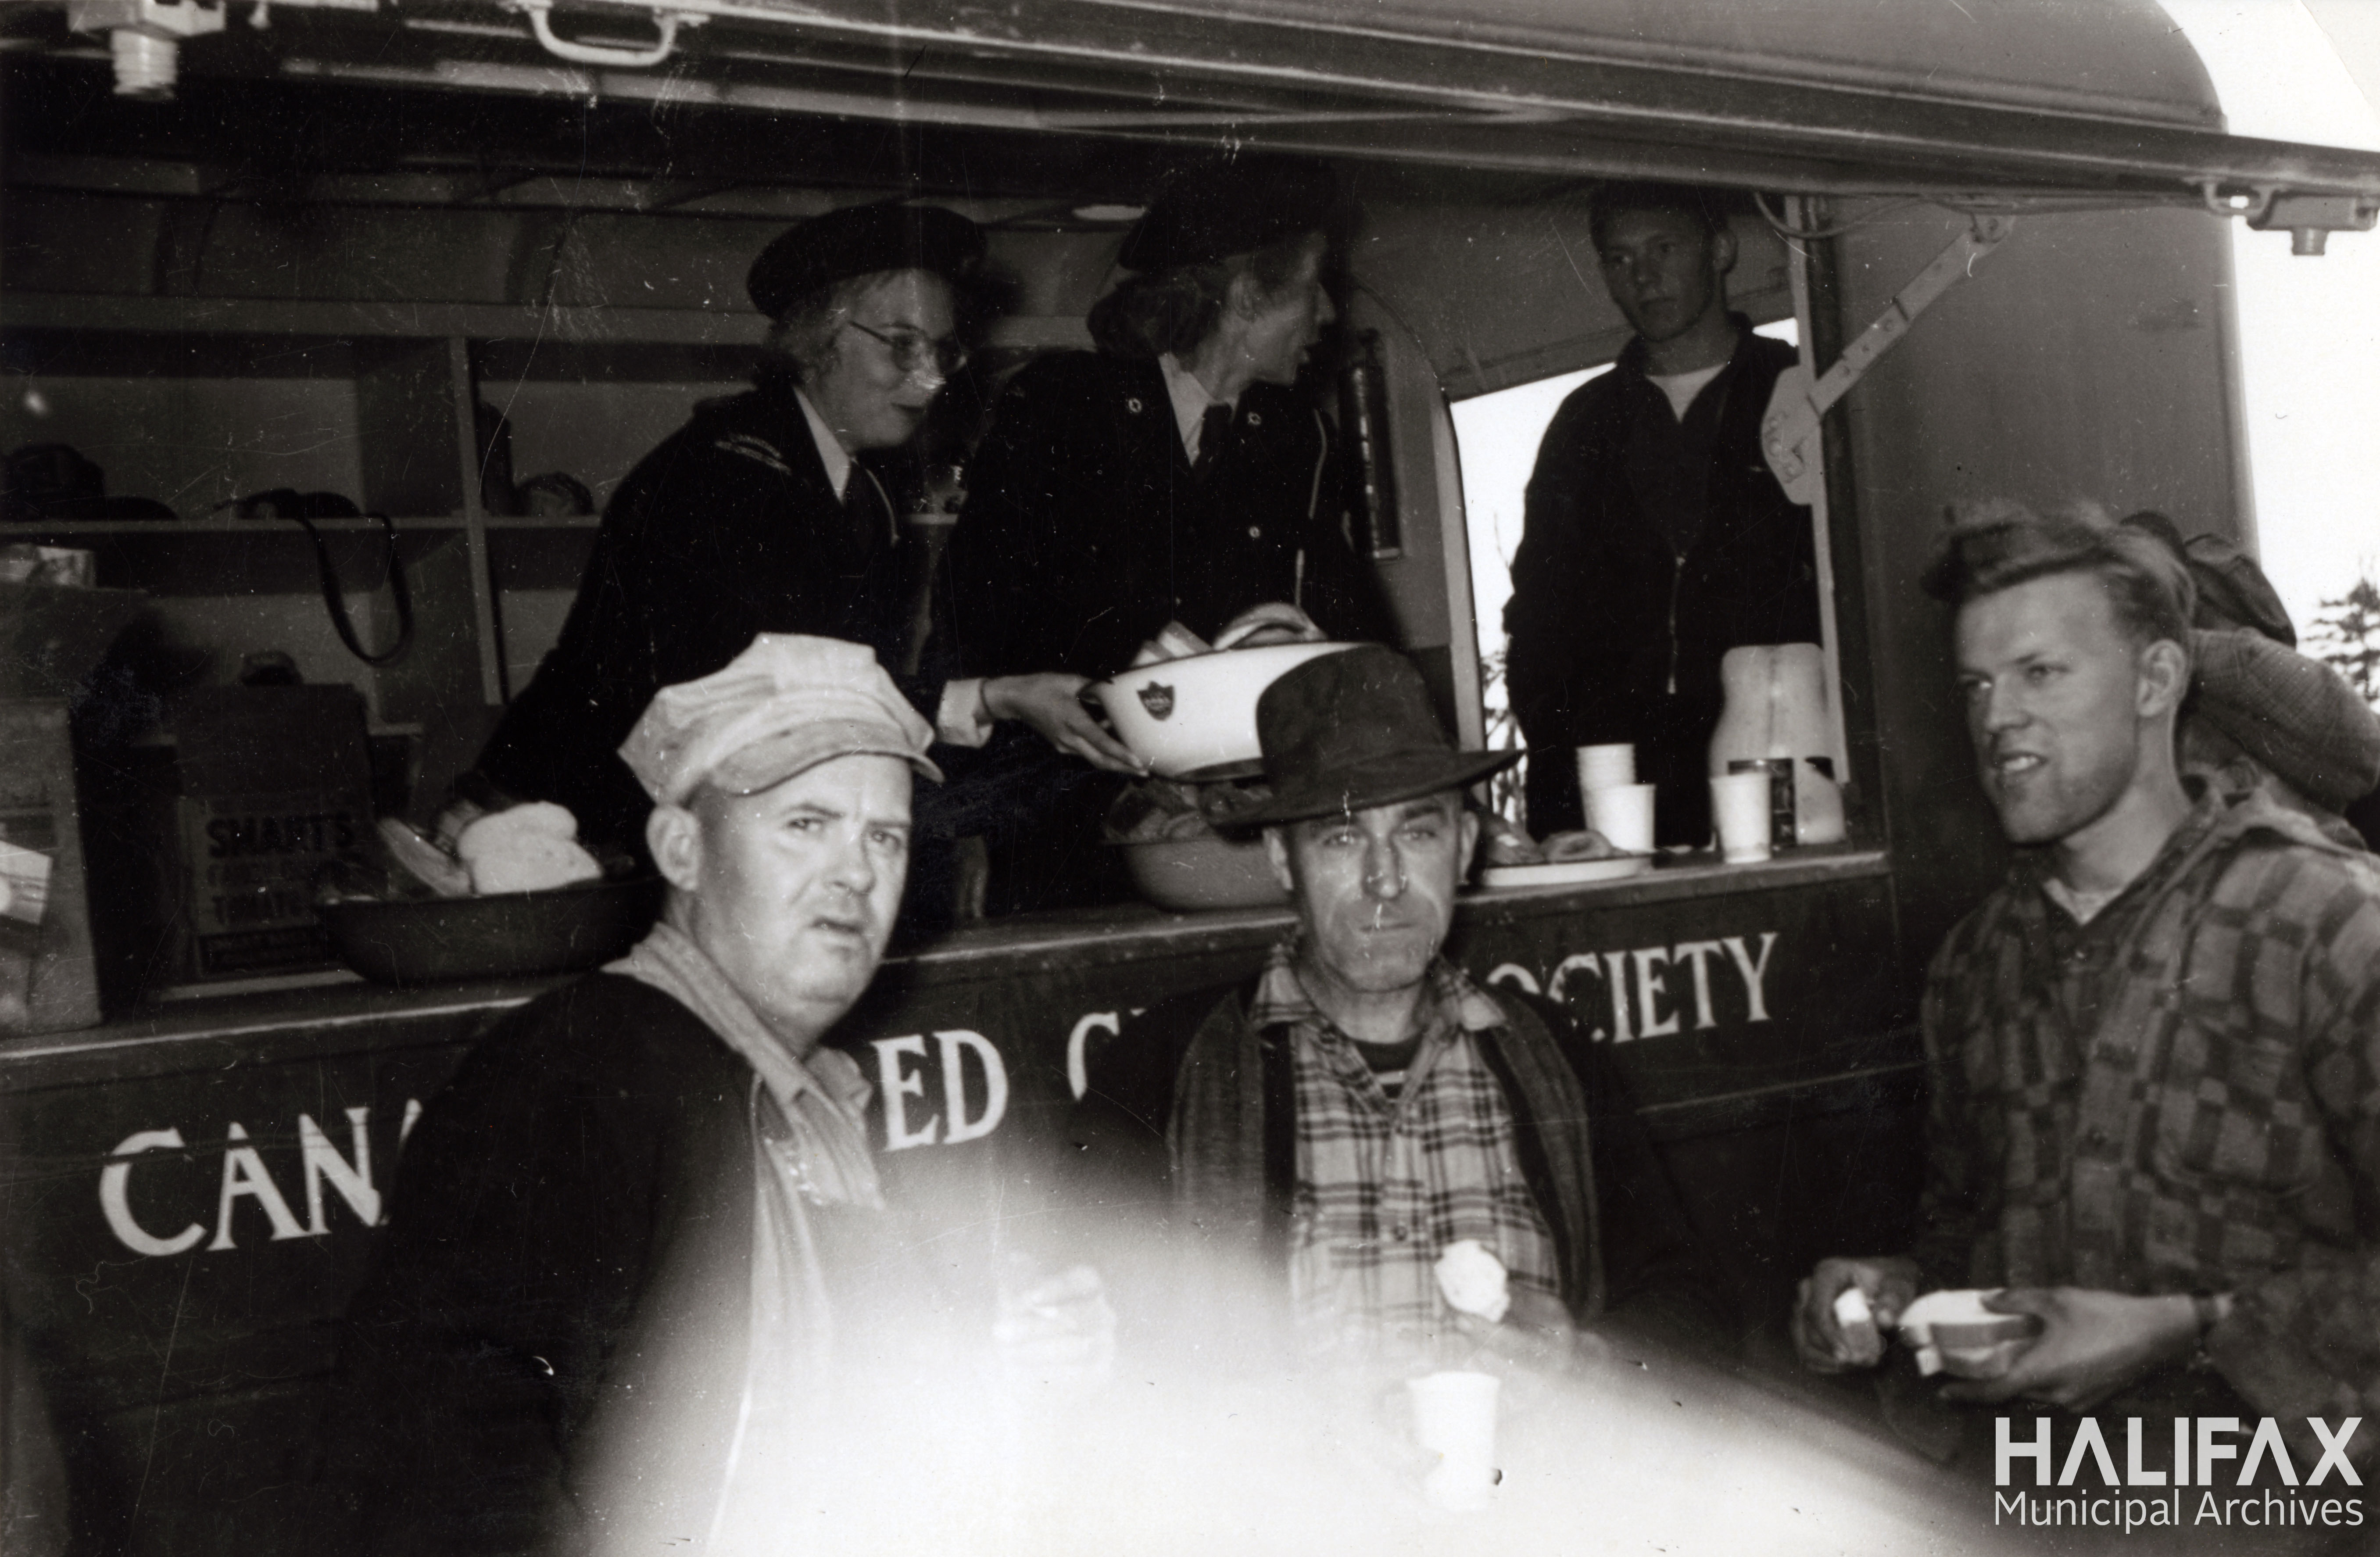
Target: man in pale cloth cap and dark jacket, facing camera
[{"x": 608, "y": 1292}]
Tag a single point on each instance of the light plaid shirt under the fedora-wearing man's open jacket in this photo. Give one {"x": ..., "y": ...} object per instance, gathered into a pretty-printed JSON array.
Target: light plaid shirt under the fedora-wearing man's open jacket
[{"x": 1384, "y": 1187}]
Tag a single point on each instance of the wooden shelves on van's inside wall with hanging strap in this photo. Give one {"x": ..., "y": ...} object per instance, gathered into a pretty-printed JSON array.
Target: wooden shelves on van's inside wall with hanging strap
[{"x": 194, "y": 401}]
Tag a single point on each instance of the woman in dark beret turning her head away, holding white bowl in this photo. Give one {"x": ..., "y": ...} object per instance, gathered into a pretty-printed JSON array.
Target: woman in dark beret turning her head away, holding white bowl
[{"x": 1175, "y": 475}]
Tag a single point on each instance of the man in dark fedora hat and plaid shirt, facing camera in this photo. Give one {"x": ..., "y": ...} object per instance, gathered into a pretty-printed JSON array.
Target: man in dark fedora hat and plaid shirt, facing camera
[{"x": 1317, "y": 1139}]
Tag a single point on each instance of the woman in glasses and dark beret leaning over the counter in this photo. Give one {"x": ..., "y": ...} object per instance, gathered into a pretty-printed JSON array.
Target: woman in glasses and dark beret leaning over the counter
[{"x": 758, "y": 520}]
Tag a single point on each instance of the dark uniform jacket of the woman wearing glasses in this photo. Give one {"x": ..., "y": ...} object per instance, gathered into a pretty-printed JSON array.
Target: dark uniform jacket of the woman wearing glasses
[{"x": 725, "y": 532}]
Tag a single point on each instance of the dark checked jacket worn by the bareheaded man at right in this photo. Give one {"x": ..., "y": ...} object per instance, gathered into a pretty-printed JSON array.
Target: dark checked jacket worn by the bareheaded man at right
[{"x": 2181, "y": 1096}]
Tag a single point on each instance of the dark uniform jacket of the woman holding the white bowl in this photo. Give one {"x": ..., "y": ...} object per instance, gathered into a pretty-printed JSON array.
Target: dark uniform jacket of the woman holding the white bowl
[{"x": 1086, "y": 530}]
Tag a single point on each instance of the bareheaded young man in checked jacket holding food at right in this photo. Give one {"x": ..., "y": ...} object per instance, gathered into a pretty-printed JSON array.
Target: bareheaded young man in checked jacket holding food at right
[{"x": 2157, "y": 1049}]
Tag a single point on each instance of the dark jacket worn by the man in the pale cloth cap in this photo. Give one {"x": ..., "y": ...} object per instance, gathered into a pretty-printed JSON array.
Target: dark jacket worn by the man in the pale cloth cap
[{"x": 591, "y": 1151}]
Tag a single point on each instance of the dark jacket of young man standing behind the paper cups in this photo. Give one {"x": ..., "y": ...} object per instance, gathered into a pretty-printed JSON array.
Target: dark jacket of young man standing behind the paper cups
[{"x": 1617, "y": 632}]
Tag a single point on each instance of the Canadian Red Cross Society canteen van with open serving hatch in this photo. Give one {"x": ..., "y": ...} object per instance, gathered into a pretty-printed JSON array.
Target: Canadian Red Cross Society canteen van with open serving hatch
[{"x": 299, "y": 244}]
